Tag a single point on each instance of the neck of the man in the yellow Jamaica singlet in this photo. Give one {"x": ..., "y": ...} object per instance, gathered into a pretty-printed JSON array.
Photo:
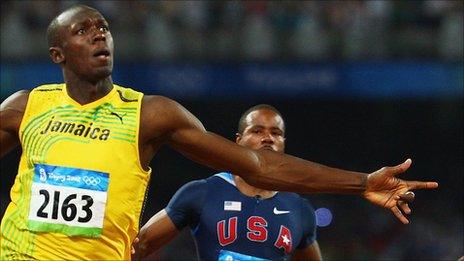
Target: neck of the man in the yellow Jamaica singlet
[{"x": 84, "y": 91}]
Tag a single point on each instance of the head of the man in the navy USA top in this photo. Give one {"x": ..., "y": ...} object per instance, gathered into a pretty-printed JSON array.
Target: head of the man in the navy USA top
[{"x": 264, "y": 130}]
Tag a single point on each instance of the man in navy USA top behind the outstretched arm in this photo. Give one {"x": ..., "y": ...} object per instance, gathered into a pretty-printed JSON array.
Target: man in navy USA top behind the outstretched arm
[{"x": 233, "y": 220}]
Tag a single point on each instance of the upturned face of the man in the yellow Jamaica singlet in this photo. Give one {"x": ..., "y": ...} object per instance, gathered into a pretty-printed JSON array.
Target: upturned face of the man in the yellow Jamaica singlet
[{"x": 87, "y": 44}]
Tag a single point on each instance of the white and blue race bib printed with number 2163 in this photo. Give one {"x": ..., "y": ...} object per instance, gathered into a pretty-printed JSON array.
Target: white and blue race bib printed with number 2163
[{"x": 68, "y": 200}]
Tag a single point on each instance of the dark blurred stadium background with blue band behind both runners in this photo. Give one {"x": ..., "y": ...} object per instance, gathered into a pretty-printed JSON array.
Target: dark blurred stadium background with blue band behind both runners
[{"x": 360, "y": 84}]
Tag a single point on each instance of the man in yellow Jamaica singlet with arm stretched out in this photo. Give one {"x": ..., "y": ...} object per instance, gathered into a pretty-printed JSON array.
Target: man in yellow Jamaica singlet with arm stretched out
[{"x": 87, "y": 143}]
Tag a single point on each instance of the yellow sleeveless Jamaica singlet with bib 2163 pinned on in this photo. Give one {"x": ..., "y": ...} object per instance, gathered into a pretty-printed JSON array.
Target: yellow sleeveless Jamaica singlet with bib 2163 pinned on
[{"x": 80, "y": 186}]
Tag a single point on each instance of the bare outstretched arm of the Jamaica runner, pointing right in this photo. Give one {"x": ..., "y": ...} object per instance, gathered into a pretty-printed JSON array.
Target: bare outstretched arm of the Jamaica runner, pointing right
[{"x": 266, "y": 169}]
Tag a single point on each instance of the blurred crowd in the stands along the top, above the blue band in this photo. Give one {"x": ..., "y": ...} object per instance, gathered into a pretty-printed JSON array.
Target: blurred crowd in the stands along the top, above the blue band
[{"x": 253, "y": 30}]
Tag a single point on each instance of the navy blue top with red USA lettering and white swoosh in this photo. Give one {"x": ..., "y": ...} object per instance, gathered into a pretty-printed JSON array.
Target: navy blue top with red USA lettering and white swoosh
[{"x": 226, "y": 223}]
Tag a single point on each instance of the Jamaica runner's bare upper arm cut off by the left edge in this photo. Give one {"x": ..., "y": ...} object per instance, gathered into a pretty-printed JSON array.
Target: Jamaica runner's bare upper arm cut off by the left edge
[{"x": 11, "y": 114}]
